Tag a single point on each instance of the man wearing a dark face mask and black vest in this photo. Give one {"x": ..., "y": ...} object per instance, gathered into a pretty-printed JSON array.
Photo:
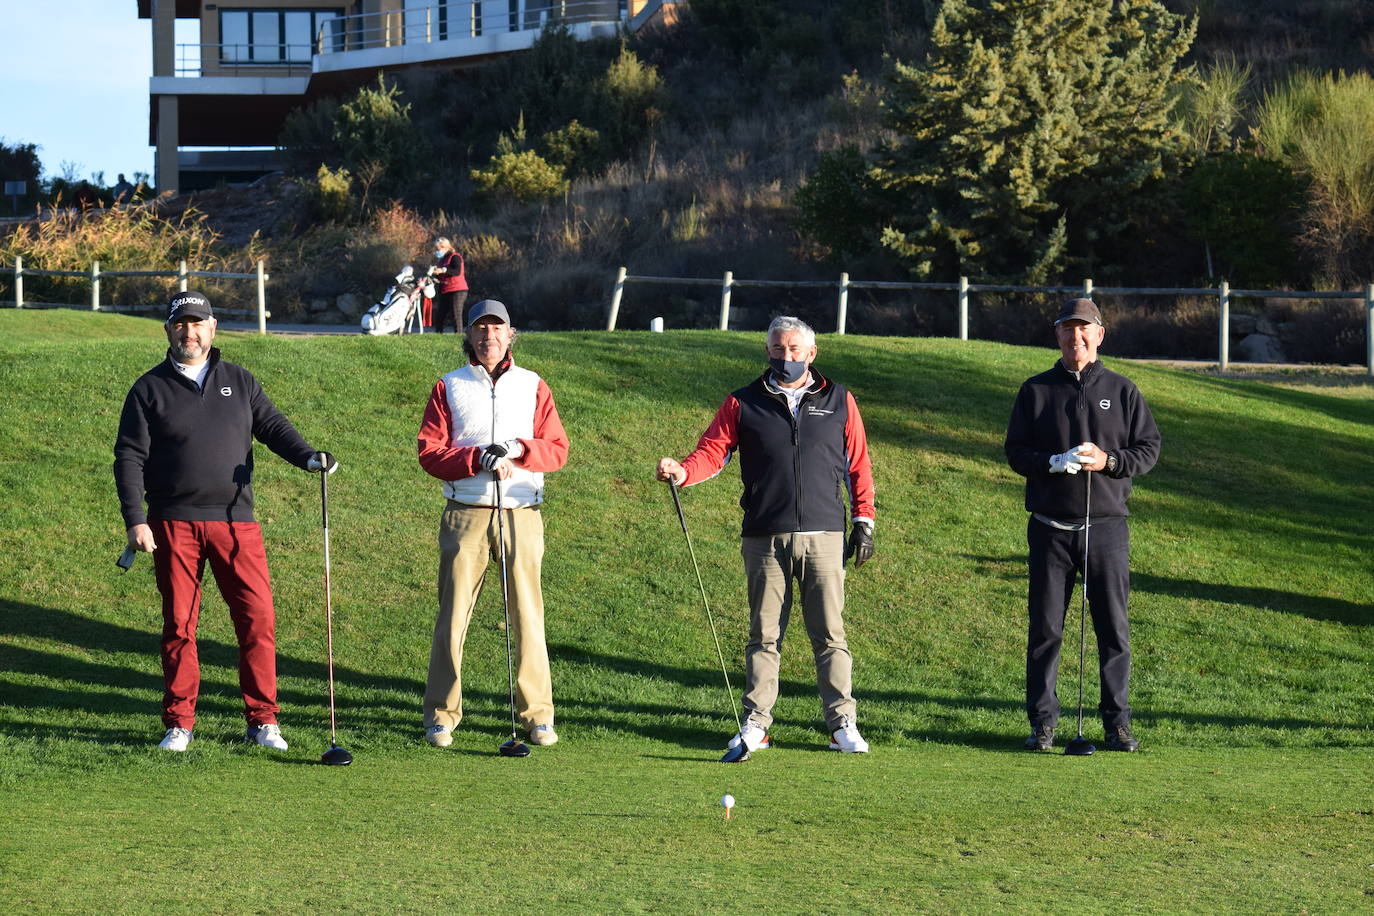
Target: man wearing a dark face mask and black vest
[{"x": 804, "y": 463}]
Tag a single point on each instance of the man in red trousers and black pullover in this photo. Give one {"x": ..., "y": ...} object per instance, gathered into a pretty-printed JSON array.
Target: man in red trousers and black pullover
[{"x": 186, "y": 447}]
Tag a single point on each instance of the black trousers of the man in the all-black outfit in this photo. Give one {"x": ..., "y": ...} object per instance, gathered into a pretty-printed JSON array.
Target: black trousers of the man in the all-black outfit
[{"x": 1055, "y": 562}]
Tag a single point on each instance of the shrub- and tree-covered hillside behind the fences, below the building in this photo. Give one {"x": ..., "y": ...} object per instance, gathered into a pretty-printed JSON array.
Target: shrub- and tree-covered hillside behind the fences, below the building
[{"x": 767, "y": 138}]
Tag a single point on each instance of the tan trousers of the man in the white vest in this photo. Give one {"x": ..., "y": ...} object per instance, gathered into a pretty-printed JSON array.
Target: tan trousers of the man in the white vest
[{"x": 468, "y": 542}]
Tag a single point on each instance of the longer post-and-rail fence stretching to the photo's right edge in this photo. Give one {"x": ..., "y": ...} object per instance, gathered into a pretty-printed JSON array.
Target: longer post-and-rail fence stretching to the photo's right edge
[{"x": 964, "y": 289}]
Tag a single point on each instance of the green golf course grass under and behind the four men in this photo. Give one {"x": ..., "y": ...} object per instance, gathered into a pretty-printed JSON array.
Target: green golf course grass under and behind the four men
[{"x": 1252, "y": 635}]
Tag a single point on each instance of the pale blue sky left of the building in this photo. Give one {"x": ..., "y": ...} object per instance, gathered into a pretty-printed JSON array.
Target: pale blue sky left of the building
[{"x": 76, "y": 84}]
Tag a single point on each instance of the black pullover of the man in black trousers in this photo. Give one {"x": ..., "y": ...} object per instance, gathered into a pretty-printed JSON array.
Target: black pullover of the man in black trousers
[{"x": 1055, "y": 413}]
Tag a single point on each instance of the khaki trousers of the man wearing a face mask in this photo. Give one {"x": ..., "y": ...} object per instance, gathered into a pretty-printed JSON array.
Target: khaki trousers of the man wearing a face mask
[{"x": 817, "y": 564}]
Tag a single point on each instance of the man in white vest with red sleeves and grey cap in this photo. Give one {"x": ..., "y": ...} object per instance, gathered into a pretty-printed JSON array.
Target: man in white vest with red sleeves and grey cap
[{"x": 491, "y": 402}]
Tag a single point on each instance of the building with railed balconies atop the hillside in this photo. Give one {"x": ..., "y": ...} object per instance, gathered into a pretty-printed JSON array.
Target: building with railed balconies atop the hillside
[{"x": 218, "y": 106}]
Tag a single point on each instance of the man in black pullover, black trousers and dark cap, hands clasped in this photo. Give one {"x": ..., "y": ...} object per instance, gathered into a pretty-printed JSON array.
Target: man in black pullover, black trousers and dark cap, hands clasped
[{"x": 1079, "y": 418}]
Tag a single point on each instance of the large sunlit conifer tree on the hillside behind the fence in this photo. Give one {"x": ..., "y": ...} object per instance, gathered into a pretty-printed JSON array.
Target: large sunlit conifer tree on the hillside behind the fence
[{"x": 1027, "y": 131}]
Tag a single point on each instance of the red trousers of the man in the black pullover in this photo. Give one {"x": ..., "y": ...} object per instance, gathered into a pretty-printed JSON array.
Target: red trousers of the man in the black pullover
[{"x": 238, "y": 561}]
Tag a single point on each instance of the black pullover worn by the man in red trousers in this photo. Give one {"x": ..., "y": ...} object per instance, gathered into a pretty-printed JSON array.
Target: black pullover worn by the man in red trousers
[{"x": 190, "y": 453}]
